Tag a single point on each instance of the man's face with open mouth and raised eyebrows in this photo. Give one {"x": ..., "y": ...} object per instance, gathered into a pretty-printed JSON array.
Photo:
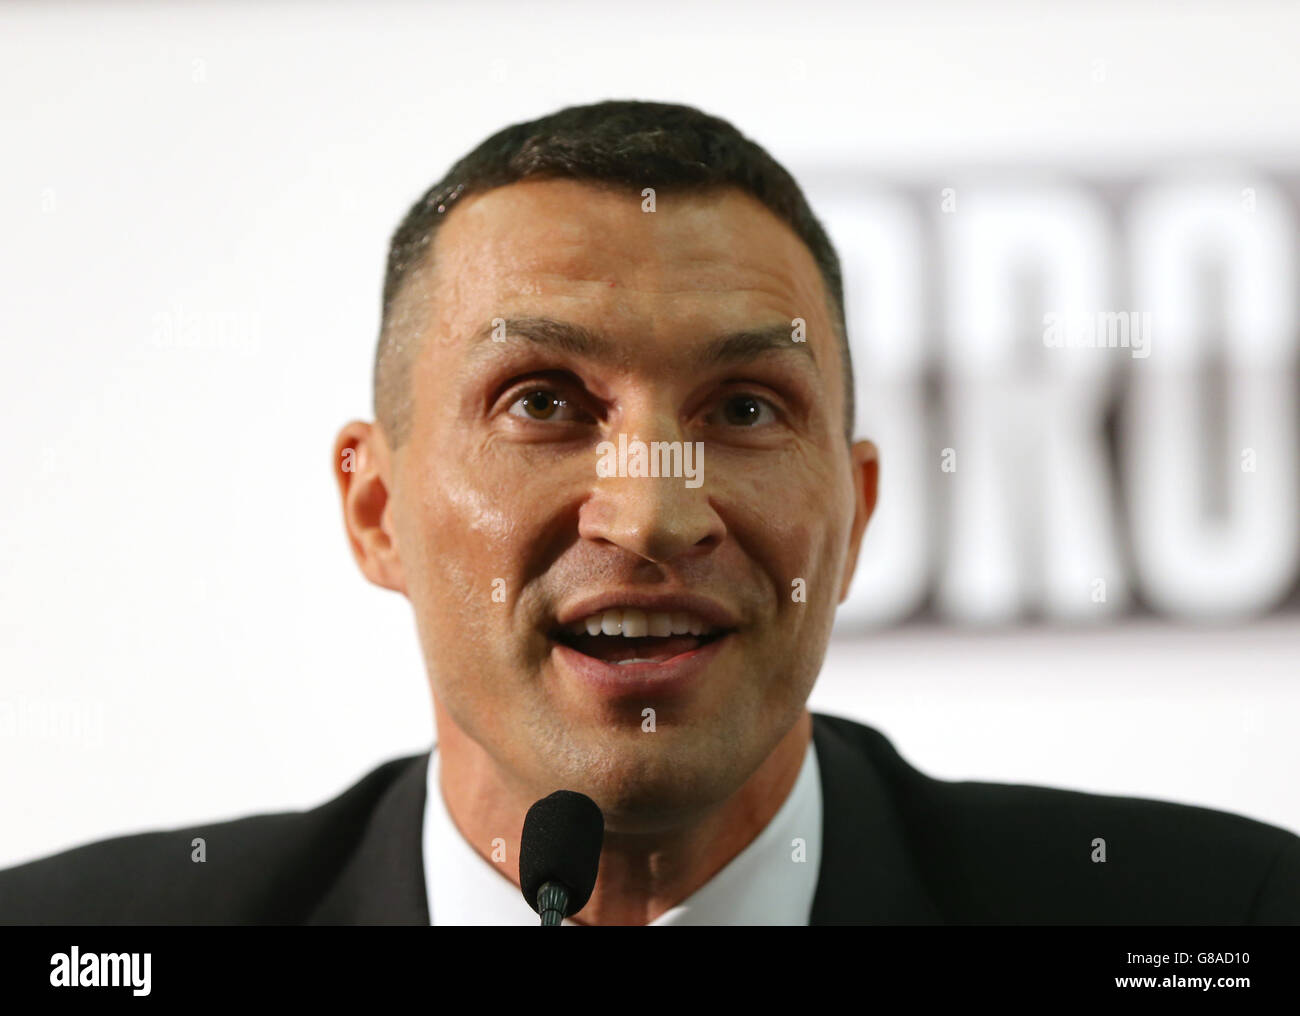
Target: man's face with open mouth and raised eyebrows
[{"x": 497, "y": 489}]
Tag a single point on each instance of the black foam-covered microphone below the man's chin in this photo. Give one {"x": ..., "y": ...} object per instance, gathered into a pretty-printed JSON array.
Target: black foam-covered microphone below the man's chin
[{"x": 560, "y": 854}]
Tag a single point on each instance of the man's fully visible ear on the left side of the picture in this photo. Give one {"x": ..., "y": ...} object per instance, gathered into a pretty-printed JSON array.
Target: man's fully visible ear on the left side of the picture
[{"x": 363, "y": 471}]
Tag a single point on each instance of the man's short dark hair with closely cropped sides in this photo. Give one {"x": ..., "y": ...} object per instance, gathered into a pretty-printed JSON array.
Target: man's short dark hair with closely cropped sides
[{"x": 619, "y": 142}]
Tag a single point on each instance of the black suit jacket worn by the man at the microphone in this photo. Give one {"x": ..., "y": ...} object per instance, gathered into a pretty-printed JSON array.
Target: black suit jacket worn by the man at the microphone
[{"x": 899, "y": 848}]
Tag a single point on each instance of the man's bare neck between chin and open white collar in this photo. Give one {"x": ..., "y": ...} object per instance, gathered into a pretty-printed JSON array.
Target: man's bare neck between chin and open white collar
[{"x": 642, "y": 876}]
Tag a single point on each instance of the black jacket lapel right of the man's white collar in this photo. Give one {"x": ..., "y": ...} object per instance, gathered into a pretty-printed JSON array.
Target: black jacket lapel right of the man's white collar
[{"x": 866, "y": 875}]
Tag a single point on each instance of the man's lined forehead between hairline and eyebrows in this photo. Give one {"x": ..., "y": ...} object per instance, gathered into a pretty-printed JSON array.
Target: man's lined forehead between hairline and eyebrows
[{"x": 718, "y": 254}]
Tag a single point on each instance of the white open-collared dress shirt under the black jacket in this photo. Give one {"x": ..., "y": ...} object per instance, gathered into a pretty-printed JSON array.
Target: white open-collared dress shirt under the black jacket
[{"x": 764, "y": 884}]
